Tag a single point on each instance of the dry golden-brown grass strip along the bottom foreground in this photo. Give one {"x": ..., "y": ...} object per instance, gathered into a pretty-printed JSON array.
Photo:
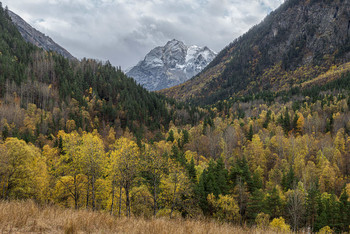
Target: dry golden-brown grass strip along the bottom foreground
[{"x": 27, "y": 217}]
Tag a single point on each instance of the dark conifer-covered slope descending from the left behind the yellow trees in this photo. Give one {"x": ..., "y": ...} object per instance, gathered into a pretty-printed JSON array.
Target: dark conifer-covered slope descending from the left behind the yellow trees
[{"x": 72, "y": 94}]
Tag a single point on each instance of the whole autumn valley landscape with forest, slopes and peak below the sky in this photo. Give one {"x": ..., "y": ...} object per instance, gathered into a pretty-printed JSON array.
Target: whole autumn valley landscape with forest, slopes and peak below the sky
[{"x": 257, "y": 142}]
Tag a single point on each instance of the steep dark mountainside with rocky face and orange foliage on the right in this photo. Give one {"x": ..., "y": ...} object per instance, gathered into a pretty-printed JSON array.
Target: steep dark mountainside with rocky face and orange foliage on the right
[{"x": 297, "y": 42}]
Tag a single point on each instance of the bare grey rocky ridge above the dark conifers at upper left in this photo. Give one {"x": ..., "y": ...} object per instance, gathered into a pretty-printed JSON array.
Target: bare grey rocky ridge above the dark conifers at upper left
[{"x": 37, "y": 38}]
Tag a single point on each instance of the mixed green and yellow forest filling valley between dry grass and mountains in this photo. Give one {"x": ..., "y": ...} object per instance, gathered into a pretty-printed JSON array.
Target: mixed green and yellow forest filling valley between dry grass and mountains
[{"x": 82, "y": 135}]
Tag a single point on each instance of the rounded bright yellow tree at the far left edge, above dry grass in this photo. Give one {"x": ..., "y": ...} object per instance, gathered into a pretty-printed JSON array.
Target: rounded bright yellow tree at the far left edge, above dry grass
[{"x": 23, "y": 172}]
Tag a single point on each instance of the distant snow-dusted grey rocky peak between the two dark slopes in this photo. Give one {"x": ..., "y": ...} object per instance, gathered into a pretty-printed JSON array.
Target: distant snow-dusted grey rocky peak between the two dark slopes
[{"x": 171, "y": 65}]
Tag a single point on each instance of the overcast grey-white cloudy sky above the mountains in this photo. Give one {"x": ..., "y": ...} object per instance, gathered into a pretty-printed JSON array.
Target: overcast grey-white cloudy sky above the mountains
[{"x": 124, "y": 31}]
